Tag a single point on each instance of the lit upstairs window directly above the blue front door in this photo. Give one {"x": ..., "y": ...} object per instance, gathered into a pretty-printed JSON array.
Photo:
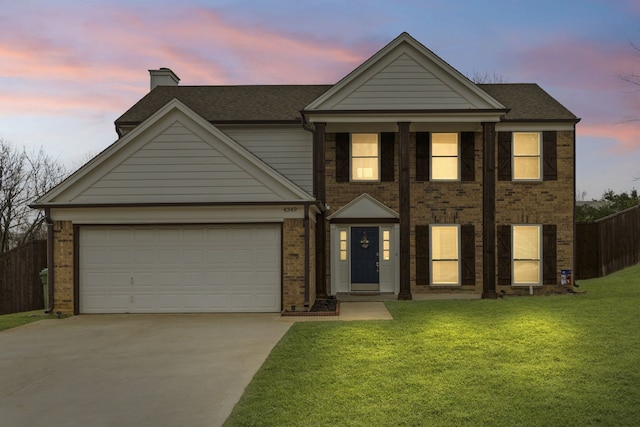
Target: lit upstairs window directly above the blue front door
[{"x": 365, "y": 157}]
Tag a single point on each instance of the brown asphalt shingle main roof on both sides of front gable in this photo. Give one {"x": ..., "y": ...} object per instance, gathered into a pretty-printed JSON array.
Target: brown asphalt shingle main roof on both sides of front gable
[{"x": 283, "y": 103}]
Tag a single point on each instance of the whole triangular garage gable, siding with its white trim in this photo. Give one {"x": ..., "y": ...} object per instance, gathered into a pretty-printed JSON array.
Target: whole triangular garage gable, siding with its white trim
[{"x": 206, "y": 166}]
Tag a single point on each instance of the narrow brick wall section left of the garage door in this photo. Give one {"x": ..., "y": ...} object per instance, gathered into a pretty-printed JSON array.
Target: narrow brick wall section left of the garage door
[{"x": 63, "y": 300}]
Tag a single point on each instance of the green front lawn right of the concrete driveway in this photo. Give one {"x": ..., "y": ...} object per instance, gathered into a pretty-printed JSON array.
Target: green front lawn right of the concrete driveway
[{"x": 528, "y": 361}]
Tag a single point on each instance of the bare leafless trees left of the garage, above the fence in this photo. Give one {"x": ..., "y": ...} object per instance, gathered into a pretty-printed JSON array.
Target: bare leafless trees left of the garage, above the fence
[{"x": 23, "y": 178}]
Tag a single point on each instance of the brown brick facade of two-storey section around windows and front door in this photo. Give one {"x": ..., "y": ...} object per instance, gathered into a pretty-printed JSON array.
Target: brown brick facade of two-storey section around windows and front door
[{"x": 548, "y": 202}]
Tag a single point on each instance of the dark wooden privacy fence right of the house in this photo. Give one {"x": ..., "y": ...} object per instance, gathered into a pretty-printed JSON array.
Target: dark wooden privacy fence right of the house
[{"x": 608, "y": 244}]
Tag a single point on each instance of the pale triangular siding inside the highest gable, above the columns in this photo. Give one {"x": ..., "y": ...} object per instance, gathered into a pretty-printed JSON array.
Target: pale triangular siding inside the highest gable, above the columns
[{"x": 404, "y": 84}]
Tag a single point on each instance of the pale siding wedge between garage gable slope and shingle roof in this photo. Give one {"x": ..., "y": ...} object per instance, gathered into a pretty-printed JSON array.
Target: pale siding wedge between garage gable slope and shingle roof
[{"x": 289, "y": 150}]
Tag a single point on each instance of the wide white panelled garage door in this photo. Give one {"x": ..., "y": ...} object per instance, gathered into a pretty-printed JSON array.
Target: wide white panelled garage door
[{"x": 161, "y": 269}]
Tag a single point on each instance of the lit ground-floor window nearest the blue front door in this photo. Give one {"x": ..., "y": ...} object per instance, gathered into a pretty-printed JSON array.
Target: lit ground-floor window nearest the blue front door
[{"x": 445, "y": 254}]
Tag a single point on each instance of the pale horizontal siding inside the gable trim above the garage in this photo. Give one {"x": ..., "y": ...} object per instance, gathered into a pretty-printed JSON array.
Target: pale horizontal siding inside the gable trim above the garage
[{"x": 176, "y": 166}]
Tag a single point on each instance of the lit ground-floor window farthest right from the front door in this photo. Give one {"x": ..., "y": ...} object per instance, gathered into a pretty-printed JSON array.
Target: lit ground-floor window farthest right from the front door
[{"x": 527, "y": 254}]
